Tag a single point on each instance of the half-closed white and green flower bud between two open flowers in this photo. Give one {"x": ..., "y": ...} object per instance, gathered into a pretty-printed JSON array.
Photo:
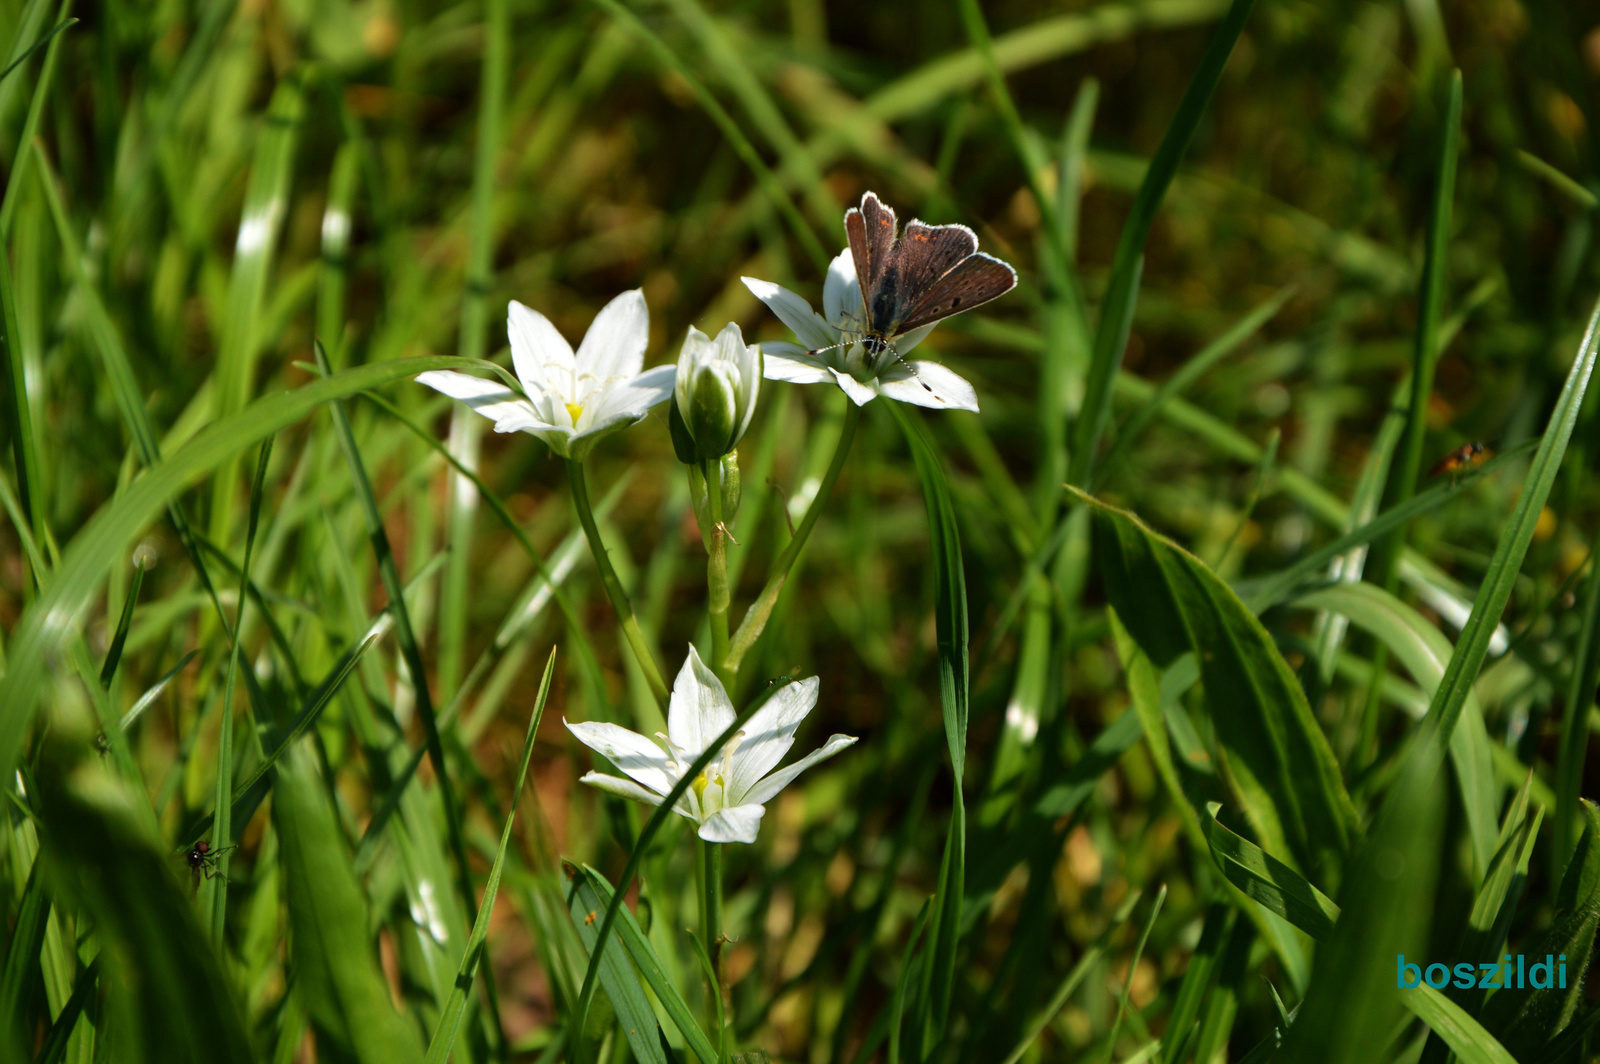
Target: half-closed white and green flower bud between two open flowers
[{"x": 714, "y": 394}]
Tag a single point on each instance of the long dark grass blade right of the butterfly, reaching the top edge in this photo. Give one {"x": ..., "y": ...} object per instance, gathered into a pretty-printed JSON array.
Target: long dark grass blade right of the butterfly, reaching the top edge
[{"x": 1122, "y": 290}]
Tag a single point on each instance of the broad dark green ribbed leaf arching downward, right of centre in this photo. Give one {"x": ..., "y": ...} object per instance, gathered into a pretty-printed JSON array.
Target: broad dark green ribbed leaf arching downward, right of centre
[{"x": 1278, "y": 759}]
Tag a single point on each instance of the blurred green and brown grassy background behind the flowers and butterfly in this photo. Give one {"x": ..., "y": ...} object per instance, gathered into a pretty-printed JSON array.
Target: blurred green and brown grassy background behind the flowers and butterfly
[{"x": 199, "y": 190}]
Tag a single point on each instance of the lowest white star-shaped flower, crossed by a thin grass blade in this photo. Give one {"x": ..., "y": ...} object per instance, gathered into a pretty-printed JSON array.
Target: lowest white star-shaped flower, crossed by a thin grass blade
[{"x": 727, "y": 801}]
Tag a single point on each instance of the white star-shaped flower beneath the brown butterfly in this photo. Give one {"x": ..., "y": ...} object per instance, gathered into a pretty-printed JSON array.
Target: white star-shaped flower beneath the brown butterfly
[{"x": 831, "y": 348}]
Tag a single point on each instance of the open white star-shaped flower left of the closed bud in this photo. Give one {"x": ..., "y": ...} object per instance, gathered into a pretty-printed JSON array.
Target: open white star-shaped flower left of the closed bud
[{"x": 574, "y": 399}]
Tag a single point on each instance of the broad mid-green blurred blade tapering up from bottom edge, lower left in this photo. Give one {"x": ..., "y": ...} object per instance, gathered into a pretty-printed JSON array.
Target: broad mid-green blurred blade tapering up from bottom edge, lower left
[{"x": 337, "y": 969}]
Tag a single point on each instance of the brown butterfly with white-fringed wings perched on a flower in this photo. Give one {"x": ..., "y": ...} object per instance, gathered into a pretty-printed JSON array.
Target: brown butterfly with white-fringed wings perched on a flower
[{"x": 918, "y": 278}]
